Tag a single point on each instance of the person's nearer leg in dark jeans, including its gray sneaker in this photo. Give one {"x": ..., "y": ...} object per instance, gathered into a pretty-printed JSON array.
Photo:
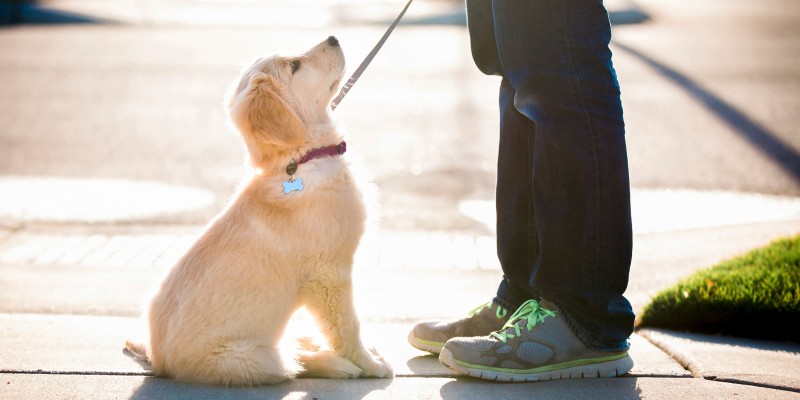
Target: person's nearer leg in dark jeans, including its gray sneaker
[{"x": 554, "y": 53}]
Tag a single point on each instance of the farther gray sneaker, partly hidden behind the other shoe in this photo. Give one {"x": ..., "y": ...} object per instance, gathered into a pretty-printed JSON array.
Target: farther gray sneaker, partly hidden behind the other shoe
[{"x": 483, "y": 320}]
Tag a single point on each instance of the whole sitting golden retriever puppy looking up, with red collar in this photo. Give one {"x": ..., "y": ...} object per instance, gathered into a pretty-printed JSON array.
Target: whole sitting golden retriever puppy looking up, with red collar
[{"x": 286, "y": 240}]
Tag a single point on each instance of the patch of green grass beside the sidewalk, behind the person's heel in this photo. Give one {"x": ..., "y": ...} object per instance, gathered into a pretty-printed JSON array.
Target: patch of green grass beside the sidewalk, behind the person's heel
[{"x": 756, "y": 295}]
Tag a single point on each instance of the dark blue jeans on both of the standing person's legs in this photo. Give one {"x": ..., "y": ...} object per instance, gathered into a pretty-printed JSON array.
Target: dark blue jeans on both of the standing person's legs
[{"x": 563, "y": 192}]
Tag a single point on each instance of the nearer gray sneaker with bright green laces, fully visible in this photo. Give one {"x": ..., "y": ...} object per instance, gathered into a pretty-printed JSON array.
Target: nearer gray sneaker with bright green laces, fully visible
[{"x": 534, "y": 345}]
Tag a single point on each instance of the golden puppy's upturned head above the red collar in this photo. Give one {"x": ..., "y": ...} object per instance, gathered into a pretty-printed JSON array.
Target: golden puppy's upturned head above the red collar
[{"x": 276, "y": 98}]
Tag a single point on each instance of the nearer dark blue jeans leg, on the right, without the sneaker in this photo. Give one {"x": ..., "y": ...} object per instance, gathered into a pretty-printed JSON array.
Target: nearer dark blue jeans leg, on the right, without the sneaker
[{"x": 555, "y": 54}]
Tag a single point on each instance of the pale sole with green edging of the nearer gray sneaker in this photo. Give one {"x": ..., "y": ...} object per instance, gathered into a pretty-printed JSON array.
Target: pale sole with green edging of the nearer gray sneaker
[{"x": 603, "y": 369}]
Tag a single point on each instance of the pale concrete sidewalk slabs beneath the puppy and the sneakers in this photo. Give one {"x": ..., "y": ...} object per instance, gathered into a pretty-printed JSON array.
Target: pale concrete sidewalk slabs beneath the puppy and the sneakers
[{"x": 81, "y": 357}]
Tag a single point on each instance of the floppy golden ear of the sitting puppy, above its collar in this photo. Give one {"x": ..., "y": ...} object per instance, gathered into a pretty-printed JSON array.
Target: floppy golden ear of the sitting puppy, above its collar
[{"x": 260, "y": 108}]
